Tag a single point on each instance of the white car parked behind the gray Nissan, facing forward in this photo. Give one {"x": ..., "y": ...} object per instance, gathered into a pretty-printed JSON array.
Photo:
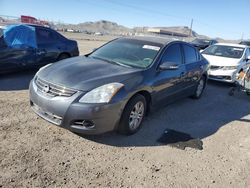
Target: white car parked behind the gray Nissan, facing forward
[{"x": 225, "y": 59}]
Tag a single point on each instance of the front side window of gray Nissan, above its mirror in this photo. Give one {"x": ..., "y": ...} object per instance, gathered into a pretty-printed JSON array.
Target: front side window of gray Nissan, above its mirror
[{"x": 173, "y": 54}]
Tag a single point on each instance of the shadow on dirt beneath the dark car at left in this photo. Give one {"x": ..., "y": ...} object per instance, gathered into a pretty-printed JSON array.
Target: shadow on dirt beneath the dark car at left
[{"x": 16, "y": 81}]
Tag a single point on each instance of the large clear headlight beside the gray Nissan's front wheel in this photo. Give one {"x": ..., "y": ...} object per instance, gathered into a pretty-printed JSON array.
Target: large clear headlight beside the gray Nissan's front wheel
[{"x": 102, "y": 94}]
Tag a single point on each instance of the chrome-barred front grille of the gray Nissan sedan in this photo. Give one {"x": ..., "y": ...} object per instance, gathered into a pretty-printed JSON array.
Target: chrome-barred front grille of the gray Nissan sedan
[{"x": 53, "y": 90}]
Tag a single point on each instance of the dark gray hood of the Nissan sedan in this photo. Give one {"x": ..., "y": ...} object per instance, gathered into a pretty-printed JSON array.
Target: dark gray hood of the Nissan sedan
[{"x": 83, "y": 73}]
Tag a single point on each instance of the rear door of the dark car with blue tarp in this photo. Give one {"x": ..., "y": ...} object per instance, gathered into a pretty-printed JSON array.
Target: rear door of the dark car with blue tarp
[{"x": 48, "y": 45}]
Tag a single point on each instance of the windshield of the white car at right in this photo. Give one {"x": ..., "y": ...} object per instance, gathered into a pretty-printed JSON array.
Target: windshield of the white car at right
[{"x": 224, "y": 51}]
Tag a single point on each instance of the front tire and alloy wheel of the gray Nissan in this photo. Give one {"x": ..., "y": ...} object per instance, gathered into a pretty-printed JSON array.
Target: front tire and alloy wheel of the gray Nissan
[{"x": 133, "y": 115}]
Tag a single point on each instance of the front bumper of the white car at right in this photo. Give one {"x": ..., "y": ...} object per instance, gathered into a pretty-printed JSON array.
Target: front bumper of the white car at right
[{"x": 222, "y": 75}]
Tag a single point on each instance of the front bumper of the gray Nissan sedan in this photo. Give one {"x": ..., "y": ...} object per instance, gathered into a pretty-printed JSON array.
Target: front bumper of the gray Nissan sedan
[{"x": 68, "y": 113}]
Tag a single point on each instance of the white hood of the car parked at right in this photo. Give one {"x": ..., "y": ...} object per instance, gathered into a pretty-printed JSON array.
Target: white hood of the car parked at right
[{"x": 221, "y": 61}]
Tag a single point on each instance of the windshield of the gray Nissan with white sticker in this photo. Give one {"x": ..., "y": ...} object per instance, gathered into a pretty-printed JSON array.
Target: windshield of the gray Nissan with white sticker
[{"x": 128, "y": 52}]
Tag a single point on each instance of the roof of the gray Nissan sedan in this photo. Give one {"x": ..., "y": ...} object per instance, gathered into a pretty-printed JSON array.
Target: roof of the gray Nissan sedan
[{"x": 153, "y": 39}]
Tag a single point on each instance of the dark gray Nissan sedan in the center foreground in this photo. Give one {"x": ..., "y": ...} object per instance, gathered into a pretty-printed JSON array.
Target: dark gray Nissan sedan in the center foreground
[{"x": 114, "y": 87}]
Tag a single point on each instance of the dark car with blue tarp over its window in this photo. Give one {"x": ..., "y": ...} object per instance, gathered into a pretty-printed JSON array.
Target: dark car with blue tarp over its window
[{"x": 28, "y": 46}]
